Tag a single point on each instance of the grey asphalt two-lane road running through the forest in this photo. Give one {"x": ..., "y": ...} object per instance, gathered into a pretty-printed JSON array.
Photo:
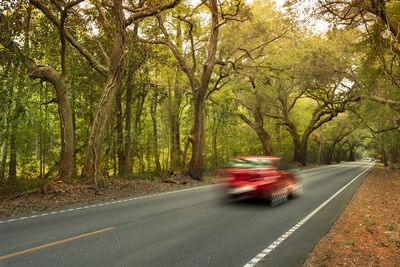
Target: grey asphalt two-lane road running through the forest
[{"x": 192, "y": 227}]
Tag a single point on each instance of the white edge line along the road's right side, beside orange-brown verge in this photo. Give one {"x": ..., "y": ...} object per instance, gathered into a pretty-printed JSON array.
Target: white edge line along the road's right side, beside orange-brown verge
[{"x": 282, "y": 238}]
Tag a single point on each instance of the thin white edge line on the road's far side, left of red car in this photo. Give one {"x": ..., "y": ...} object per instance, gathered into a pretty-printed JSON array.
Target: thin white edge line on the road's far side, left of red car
[{"x": 107, "y": 203}]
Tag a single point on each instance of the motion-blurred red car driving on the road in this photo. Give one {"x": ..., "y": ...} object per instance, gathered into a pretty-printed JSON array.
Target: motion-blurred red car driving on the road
[{"x": 260, "y": 177}]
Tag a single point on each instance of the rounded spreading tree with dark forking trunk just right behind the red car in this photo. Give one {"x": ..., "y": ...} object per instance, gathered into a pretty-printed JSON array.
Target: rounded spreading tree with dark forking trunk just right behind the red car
[{"x": 314, "y": 71}]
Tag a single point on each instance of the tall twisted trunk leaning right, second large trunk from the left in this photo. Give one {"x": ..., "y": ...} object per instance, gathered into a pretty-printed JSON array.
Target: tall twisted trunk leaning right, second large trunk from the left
[{"x": 91, "y": 168}]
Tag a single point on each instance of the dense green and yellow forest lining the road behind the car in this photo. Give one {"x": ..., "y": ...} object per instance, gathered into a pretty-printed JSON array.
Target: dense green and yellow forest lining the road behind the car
[{"x": 92, "y": 89}]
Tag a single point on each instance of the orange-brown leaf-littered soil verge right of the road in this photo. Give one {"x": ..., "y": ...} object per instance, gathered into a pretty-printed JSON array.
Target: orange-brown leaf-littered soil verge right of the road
[{"x": 368, "y": 231}]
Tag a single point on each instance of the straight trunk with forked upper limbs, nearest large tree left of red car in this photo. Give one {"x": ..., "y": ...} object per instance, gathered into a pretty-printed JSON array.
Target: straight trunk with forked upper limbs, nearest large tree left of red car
[{"x": 199, "y": 77}]
